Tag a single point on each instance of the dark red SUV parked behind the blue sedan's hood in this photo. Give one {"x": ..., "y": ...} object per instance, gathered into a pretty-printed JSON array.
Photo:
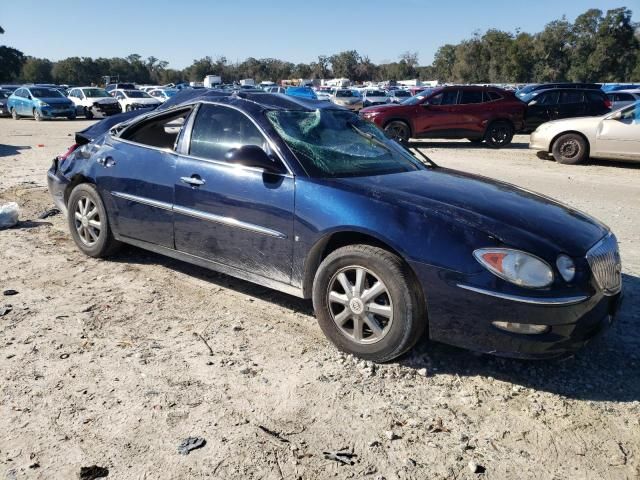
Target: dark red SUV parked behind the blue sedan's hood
[{"x": 477, "y": 113}]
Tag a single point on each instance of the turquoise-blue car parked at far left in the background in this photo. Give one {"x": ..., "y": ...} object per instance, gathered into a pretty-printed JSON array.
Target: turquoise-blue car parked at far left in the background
[{"x": 40, "y": 103}]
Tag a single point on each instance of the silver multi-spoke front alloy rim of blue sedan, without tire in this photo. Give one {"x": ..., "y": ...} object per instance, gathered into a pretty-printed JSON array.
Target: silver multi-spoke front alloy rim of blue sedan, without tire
[{"x": 360, "y": 305}]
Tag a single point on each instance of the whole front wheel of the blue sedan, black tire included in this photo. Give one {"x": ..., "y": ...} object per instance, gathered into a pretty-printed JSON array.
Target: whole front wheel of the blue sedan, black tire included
[{"x": 401, "y": 316}]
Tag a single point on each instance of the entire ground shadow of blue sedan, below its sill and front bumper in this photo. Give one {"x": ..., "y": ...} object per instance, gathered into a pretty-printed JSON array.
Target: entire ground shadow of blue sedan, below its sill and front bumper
[{"x": 605, "y": 370}]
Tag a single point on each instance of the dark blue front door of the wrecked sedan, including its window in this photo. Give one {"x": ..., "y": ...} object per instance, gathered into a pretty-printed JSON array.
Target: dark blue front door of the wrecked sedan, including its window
[{"x": 235, "y": 215}]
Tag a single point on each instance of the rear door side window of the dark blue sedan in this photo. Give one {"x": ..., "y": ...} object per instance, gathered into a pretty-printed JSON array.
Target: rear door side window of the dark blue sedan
[{"x": 159, "y": 132}]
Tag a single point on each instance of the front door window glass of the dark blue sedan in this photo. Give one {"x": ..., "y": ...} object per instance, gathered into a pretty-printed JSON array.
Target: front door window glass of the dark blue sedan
[{"x": 217, "y": 129}]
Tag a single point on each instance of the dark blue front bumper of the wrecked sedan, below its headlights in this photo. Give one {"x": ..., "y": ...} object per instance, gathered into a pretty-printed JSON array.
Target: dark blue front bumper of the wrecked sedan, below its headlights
[{"x": 463, "y": 317}]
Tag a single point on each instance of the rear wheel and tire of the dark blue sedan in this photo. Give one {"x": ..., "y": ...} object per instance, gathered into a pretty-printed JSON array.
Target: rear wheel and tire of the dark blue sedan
[{"x": 94, "y": 241}]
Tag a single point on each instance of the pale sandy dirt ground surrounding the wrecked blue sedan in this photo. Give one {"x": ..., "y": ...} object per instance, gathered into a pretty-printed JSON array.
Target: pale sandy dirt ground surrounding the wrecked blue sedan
[{"x": 103, "y": 362}]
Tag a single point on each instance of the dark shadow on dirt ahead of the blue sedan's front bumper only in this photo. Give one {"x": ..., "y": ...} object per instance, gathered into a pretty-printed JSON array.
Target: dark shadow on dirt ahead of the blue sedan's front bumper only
[{"x": 605, "y": 370}]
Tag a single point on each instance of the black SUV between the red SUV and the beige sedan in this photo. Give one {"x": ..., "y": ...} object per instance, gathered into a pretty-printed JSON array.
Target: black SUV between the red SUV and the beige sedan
[{"x": 560, "y": 103}]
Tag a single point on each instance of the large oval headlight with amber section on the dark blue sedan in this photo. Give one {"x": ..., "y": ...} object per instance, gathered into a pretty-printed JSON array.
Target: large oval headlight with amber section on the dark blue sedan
[{"x": 515, "y": 266}]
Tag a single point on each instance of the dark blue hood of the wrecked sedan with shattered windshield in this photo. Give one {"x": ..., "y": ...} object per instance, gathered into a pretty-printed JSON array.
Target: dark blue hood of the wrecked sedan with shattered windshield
[{"x": 516, "y": 217}]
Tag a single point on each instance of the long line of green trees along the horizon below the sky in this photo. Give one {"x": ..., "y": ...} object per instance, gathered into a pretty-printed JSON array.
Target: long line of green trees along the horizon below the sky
[{"x": 596, "y": 47}]
